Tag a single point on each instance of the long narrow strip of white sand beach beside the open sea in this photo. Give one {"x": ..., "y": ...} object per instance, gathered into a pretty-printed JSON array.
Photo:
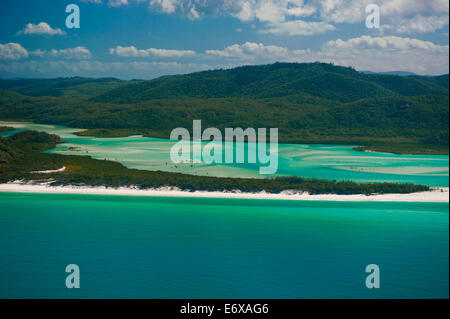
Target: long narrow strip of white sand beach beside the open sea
[{"x": 436, "y": 195}]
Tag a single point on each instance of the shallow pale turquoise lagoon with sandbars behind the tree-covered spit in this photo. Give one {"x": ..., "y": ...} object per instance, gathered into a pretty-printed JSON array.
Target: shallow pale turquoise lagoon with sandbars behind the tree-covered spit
[{"x": 338, "y": 162}]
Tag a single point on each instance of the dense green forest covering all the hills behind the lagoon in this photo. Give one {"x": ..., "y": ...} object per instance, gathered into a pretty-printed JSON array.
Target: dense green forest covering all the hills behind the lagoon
[{"x": 307, "y": 102}]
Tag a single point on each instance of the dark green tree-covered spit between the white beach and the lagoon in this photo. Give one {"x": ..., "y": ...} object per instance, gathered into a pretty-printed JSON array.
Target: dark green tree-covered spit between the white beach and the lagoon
[{"x": 22, "y": 153}]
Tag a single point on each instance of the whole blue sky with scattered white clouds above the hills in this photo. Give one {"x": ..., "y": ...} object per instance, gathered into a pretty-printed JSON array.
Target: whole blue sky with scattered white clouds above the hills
[{"x": 144, "y": 39}]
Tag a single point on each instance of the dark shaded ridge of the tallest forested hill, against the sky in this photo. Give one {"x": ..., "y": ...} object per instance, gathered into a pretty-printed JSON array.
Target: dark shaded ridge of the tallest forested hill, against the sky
[{"x": 321, "y": 80}]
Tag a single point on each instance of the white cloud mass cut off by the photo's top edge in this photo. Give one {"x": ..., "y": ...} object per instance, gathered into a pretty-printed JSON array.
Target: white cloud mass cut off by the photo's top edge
[{"x": 332, "y": 10}]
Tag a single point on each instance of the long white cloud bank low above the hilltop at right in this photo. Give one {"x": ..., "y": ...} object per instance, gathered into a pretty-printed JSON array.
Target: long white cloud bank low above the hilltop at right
[{"x": 363, "y": 53}]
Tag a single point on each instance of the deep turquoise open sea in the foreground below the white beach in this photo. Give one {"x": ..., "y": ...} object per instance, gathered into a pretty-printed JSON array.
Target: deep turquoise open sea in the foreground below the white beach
[{"x": 134, "y": 247}]
